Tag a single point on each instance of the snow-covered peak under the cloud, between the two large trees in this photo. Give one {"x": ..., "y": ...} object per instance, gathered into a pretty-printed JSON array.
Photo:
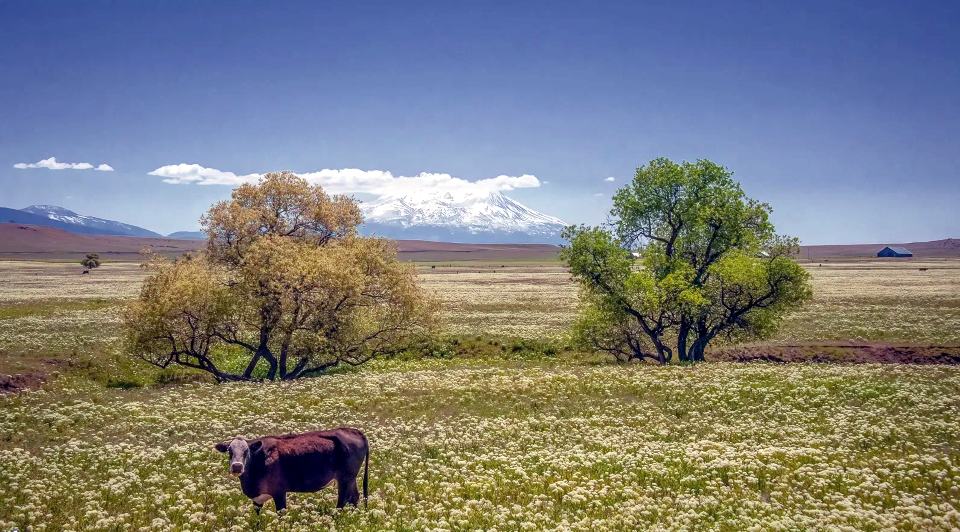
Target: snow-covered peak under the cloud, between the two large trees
[{"x": 459, "y": 216}]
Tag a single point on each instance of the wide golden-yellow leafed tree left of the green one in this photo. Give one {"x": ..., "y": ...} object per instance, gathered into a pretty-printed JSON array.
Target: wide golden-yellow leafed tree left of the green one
[{"x": 285, "y": 282}]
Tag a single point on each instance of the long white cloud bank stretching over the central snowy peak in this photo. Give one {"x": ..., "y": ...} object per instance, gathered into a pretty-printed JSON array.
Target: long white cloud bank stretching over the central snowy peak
[{"x": 353, "y": 180}]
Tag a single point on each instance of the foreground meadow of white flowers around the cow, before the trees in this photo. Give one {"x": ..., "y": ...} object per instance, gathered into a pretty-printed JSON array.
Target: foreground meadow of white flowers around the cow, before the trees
[{"x": 509, "y": 447}]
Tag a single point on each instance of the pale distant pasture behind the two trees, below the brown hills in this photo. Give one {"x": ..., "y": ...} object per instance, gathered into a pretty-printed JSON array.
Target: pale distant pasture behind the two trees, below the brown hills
[{"x": 48, "y": 308}]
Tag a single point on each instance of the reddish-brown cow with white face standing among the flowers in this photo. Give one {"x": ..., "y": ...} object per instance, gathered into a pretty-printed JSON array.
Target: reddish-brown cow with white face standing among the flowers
[{"x": 272, "y": 466}]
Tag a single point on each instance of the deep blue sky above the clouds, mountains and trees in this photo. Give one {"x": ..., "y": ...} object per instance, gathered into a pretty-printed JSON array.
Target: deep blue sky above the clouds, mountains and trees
[{"x": 844, "y": 116}]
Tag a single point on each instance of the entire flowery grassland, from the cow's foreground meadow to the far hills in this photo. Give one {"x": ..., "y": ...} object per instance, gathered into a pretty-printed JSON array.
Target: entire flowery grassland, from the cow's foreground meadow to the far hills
[{"x": 562, "y": 443}]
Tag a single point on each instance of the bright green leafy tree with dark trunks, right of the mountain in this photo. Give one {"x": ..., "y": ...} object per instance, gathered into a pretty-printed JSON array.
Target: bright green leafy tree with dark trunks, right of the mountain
[{"x": 712, "y": 266}]
